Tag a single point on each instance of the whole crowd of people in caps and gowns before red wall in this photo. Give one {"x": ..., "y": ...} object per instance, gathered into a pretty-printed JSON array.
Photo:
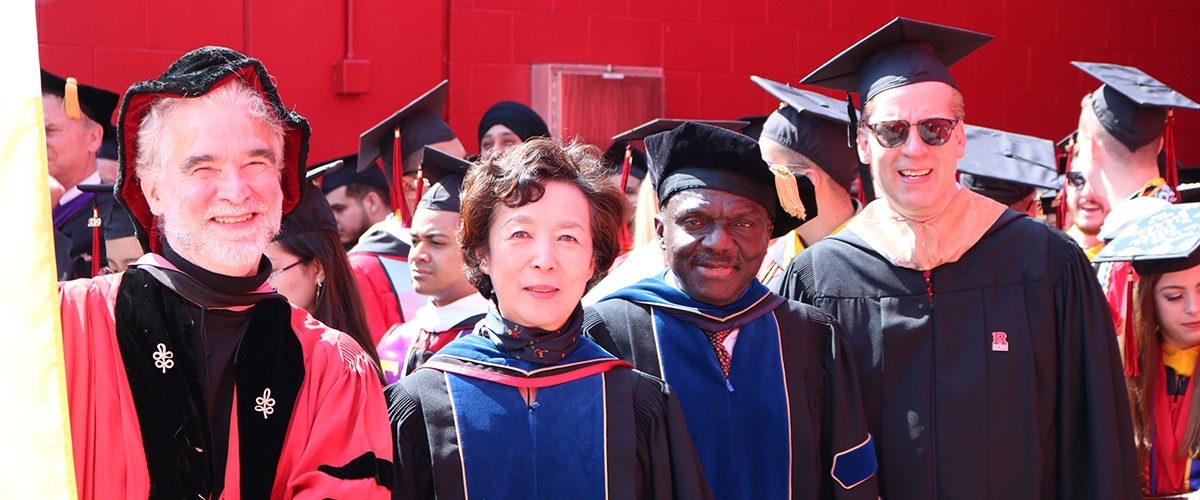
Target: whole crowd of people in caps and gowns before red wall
[{"x": 700, "y": 309}]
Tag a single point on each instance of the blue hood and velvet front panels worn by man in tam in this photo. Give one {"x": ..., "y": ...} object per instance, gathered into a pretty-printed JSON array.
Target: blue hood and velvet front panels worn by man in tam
[{"x": 746, "y": 415}]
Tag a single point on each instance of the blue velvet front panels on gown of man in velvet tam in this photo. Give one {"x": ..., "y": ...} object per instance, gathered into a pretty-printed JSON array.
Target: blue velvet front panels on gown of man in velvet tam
[{"x": 733, "y": 420}]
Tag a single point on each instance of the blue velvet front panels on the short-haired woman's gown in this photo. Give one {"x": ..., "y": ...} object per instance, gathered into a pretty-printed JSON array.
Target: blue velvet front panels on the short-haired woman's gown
[{"x": 555, "y": 450}]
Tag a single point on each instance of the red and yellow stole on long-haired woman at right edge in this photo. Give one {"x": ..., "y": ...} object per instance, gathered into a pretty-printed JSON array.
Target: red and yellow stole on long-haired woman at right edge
[{"x": 1169, "y": 474}]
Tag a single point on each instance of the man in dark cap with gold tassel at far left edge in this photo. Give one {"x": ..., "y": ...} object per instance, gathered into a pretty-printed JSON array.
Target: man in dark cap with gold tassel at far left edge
[{"x": 79, "y": 119}]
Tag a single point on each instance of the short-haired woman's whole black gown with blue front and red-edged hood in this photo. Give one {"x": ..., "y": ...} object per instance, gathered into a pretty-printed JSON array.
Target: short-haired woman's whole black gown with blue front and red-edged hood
[{"x": 598, "y": 430}]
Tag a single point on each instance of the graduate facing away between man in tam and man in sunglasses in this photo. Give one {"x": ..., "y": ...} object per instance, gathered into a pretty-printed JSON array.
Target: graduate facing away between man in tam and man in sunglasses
[{"x": 808, "y": 136}]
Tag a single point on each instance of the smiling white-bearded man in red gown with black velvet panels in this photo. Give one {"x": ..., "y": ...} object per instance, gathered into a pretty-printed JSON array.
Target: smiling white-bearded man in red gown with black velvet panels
[{"x": 188, "y": 376}]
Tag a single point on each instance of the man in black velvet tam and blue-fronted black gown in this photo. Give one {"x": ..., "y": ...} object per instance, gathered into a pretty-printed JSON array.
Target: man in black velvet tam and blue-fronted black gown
[{"x": 758, "y": 376}]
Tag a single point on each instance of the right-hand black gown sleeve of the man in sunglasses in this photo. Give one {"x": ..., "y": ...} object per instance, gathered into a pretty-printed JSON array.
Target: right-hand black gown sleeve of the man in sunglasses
[{"x": 1096, "y": 447}]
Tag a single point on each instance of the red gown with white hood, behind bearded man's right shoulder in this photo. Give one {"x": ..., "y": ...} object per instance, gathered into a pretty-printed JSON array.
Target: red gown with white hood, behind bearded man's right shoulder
[{"x": 380, "y": 262}]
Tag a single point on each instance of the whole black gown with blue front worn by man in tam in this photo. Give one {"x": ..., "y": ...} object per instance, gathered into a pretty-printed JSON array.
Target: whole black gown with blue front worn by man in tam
[{"x": 787, "y": 424}]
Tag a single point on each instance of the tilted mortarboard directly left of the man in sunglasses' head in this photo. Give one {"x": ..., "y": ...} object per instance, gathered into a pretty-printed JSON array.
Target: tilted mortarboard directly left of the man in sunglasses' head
[{"x": 812, "y": 125}]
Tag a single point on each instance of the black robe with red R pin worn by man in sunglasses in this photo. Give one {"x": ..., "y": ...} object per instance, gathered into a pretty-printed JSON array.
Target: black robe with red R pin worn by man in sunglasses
[{"x": 999, "y": 378}]
